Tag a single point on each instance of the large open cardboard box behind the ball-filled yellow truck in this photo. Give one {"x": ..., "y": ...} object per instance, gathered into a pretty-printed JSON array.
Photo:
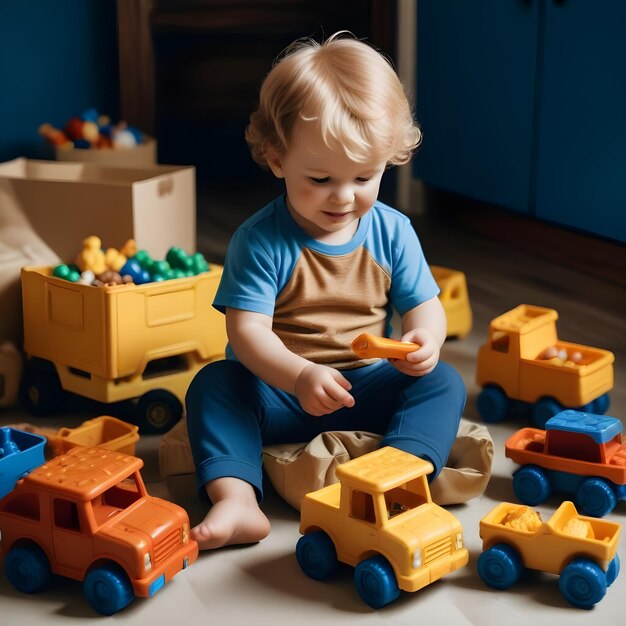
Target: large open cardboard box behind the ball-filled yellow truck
[{"x": 67, "y": 202}]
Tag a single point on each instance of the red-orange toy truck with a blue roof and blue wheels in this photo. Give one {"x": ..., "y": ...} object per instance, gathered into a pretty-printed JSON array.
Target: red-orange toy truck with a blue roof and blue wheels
[{"x": 578, "y": 453}]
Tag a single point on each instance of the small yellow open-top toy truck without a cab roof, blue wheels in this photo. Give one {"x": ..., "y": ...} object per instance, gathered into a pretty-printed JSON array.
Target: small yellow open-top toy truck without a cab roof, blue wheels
[{"x": 581, "y": 550}]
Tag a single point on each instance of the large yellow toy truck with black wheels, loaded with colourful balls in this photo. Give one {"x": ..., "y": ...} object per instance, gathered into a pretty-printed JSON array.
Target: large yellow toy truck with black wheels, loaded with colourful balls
[{"x": 115, "y": 343}]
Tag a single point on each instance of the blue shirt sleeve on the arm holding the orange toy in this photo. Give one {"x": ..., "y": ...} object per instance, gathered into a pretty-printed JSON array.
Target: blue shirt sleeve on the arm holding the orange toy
[{"x": 412, "y": 282}]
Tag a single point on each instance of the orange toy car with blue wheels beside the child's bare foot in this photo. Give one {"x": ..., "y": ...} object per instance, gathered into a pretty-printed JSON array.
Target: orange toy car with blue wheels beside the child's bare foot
[{"x": 87, "y": 515}]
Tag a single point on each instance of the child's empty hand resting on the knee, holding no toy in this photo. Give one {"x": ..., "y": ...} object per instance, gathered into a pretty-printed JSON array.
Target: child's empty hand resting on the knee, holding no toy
[{"x": 322, "y": 390}]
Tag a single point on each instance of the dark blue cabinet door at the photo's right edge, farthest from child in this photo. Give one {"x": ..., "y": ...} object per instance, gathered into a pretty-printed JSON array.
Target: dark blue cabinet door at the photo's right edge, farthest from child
[{"x": 581, "y": 163}]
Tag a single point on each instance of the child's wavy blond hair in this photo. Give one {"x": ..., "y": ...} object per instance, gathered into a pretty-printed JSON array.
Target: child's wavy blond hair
[{"x": 345, "y": 86}]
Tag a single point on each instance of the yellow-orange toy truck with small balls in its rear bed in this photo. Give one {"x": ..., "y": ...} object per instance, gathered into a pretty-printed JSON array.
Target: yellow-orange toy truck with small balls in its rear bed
[{"x": 523, "y": 364}]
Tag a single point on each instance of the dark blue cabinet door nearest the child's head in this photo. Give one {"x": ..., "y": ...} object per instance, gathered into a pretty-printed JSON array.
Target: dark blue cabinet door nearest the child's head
[{"x": 476, "y": 65}]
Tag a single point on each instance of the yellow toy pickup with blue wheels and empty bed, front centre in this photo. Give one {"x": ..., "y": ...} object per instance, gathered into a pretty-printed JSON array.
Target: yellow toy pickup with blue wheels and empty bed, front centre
[{"x": 380, "y": 518}]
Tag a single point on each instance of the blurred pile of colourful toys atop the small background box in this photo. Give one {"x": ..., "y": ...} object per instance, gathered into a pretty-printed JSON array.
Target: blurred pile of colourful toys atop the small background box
[{"x": 92, "y": 131}]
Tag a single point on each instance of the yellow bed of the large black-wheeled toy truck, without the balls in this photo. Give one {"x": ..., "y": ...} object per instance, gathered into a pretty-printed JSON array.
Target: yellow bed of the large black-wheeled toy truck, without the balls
[{"x": 114, "y": 332}]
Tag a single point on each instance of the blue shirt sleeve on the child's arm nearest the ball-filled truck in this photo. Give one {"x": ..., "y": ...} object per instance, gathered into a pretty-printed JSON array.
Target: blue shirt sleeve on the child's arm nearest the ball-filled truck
[{"x": 249, "y": 280}]
